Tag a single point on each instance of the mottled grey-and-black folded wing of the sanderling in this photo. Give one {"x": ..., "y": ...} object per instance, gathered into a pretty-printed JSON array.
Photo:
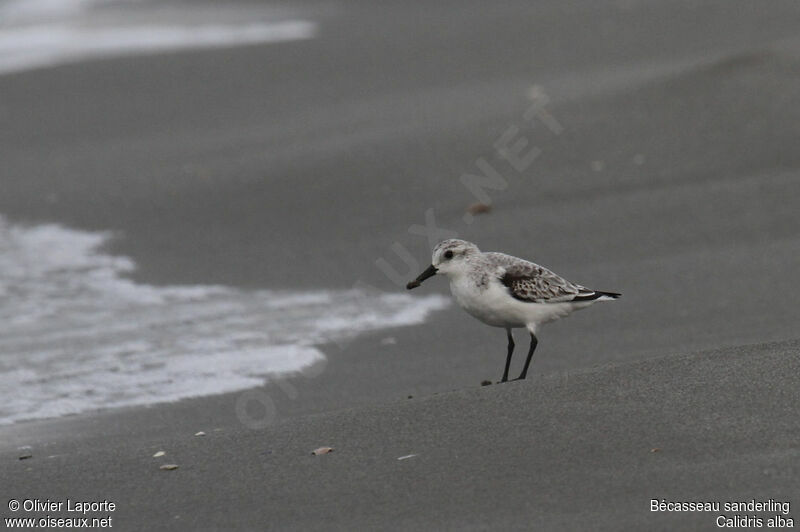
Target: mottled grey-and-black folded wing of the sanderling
[{"x": 532, "y": 283}]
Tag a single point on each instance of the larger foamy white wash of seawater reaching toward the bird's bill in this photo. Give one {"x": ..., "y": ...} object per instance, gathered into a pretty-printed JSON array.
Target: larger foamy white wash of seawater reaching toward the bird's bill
[{"x": 77, "y": 335}]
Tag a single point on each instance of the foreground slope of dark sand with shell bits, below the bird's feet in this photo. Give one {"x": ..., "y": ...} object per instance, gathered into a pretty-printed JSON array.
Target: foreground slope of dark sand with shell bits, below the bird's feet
[{"x": 585, "y": 450}]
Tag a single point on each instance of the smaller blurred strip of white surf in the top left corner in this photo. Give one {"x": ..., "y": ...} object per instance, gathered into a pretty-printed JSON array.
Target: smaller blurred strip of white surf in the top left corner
[{"x": 42, "y": 33}]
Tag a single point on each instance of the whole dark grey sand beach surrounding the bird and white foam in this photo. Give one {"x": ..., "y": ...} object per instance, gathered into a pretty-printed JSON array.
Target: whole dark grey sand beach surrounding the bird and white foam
[{"x": 672, "y": 177}]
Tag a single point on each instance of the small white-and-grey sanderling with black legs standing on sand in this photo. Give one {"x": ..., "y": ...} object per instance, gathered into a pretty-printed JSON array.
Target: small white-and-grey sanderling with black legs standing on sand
[{"x": 505, "y": 291}]
